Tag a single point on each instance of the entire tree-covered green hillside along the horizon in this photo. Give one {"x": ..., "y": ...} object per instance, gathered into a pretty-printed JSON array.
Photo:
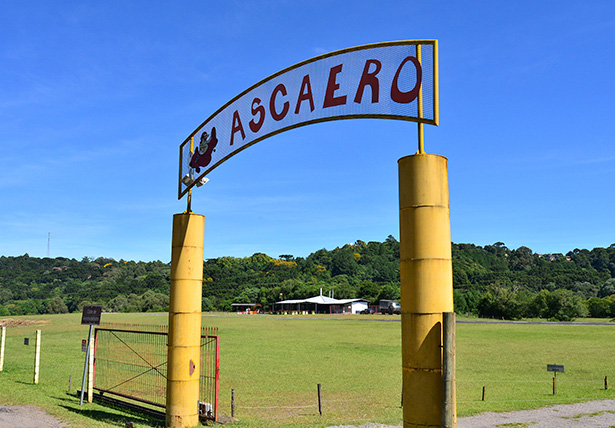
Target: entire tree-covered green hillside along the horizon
[{"x": 491, "y": 281}]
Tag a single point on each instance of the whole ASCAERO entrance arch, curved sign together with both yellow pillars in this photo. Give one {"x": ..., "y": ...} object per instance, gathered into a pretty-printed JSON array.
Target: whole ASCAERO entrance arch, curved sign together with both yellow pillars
[{"x": 393, "y": 80}]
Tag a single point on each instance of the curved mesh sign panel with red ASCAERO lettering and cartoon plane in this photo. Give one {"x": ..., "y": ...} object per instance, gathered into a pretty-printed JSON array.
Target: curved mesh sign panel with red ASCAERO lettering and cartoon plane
[{"x": 394, "y": 80}]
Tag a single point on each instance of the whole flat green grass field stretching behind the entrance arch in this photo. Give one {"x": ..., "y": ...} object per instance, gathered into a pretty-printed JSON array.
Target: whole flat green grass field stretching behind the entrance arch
[{"x": 274, "y": 364}]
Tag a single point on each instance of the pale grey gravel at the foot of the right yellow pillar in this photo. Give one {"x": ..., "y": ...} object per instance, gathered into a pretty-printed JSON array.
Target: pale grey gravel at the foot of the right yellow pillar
[{"x": 593, "y": 414}]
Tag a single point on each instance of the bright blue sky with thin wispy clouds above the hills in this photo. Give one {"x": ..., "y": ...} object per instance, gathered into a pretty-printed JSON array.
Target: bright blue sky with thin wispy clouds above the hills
[{"x": 95, "y": 98}]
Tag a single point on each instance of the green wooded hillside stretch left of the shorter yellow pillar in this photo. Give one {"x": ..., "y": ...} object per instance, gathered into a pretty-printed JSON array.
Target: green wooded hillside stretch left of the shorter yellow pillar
[{"x": 31, "y": 285}]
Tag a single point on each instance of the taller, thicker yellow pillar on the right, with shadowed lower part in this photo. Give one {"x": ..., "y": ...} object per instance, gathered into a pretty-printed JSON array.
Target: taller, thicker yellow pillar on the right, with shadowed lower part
[{"x": 426, "y": 283}]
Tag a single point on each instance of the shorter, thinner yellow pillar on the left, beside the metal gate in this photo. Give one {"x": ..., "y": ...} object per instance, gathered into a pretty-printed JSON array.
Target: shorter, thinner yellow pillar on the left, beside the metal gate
[{"x": 183, "y": 366}]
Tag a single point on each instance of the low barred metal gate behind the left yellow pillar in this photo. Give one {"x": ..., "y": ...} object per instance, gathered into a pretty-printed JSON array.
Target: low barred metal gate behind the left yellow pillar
[{"x": 130, "y": 361}]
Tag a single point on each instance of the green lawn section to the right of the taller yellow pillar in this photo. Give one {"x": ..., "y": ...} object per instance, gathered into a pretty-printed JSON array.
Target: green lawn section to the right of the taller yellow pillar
[{"x": 510, "y": 362}]
